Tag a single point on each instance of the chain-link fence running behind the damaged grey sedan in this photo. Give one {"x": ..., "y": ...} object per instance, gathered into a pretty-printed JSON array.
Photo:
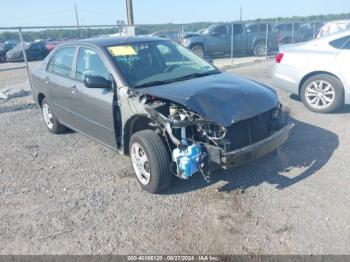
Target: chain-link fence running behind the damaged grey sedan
[{"x": 22, "y": 47}]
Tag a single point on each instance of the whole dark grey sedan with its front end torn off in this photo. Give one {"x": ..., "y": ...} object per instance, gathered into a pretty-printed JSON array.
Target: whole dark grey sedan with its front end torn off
[{"x": 170, "y": 110}]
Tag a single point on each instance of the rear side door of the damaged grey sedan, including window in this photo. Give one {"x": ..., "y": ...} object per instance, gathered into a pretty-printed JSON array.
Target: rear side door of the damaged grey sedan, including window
[{"x": 59, "y": 83}]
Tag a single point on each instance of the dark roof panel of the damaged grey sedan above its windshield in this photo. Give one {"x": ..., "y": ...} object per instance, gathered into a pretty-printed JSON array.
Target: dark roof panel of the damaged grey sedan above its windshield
[{"x": 110, "y": 41}]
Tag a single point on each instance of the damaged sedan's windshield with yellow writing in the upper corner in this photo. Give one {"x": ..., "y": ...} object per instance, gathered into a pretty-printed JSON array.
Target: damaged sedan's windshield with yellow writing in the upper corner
[{"x": 154, "y": 63}]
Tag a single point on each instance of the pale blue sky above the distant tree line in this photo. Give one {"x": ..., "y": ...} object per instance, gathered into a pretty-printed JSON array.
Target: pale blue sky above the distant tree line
[{"x": 61, "y": 12}]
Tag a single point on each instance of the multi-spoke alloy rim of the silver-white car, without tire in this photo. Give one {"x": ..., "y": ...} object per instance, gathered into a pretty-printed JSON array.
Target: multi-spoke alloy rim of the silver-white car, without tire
[{"x": 319, "y": 94}]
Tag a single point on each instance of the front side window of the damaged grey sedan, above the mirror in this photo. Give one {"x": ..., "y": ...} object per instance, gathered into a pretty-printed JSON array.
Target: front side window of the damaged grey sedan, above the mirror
[{"x": 90, "y": 63}]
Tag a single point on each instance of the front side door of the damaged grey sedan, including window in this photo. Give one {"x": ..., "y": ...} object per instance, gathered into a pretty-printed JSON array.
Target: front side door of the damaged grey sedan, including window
[{"x": 93, "y": 107}]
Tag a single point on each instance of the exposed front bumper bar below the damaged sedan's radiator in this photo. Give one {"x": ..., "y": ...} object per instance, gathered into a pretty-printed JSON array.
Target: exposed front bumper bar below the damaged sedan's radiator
[{"x": 243, "y": 155}]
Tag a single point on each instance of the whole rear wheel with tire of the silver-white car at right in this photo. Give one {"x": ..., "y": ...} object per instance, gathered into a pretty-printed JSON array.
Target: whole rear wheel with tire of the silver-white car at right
[{"x": 325, "y": 97}]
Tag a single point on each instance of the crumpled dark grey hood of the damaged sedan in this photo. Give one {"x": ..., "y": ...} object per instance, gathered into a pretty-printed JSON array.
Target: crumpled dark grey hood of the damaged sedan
[{"x": 221, "y": 98}]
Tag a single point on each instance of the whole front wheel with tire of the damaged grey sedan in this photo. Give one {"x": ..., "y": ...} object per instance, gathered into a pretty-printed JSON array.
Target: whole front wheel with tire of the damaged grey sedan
[{"x": 152, "y": 172}]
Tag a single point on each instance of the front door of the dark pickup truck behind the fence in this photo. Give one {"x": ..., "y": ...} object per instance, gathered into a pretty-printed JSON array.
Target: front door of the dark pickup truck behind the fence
[{"x": 218, "y": 40}]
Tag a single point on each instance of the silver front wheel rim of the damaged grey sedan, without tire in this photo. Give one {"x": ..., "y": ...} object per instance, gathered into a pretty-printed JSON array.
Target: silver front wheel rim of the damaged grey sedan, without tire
[{"x": 140, "y": 163}]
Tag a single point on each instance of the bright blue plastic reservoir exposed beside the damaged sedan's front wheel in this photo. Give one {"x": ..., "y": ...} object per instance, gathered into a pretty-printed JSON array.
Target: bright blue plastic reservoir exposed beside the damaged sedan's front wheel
[{"x": 187, "y": 160}]
